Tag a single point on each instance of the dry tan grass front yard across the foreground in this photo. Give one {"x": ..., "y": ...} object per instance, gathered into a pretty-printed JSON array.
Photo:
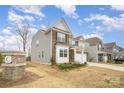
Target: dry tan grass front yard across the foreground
[{"x": 42, "y": 75}]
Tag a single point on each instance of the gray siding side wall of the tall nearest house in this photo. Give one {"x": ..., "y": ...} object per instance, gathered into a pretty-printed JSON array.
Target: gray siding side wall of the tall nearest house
[{"x": 44, "y": 47}]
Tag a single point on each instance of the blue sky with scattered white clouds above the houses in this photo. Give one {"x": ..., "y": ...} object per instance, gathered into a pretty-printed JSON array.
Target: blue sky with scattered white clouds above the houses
[{"x": 105, "y": 22}]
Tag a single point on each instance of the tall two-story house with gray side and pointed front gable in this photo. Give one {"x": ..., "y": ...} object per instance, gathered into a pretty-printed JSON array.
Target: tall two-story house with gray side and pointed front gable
[{"x": 52, "y": 44}]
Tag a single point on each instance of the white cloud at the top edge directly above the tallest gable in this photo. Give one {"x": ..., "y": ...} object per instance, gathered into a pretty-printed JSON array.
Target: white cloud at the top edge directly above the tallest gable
[{"x": 69, "y": 10}]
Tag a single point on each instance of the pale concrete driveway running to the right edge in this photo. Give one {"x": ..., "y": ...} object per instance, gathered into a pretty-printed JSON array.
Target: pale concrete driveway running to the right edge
[{"x": 117, "y": 68}]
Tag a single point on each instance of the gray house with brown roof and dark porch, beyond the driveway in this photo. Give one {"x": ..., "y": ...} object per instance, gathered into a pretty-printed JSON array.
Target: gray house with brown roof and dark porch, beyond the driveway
[{"x": 96, "y": 50}]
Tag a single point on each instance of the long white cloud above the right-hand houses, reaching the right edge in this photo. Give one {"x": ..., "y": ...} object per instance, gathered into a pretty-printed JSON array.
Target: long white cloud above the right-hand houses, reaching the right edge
[{"x": 108, "y": 22}]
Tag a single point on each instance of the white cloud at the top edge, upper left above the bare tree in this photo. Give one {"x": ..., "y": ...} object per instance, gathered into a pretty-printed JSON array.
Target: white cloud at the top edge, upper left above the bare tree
[{"x": 31, "y": 9}]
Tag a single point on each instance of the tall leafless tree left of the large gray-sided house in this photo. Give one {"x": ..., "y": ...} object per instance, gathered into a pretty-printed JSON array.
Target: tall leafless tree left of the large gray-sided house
[{"x": 23, "y": 30}]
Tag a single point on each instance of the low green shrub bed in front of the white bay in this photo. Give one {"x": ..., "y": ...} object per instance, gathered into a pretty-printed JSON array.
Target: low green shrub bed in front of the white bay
[{"x": 66, "y": 66}]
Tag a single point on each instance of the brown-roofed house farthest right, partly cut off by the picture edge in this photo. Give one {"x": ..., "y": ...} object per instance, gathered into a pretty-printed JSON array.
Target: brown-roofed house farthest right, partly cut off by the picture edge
[{"x": 114, "y": 49}]
